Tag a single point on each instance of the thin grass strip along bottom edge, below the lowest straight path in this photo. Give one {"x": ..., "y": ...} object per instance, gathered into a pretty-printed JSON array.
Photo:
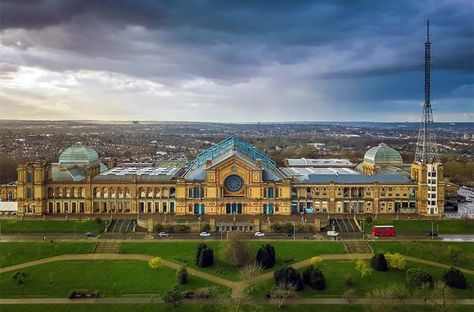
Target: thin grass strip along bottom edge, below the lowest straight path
[{"x": 193, "y": 307}]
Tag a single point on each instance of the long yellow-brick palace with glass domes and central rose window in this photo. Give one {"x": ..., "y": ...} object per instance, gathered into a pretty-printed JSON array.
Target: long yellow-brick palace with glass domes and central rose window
[{"x": 230, "y": 178}]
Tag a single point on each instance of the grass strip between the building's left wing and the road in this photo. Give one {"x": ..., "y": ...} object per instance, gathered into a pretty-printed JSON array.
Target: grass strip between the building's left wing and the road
[{"x": 49, "y": 226}]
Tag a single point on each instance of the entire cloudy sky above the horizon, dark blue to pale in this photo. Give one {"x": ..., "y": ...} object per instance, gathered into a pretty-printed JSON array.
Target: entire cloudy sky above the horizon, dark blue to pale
[{"x": 234, "y": 60}]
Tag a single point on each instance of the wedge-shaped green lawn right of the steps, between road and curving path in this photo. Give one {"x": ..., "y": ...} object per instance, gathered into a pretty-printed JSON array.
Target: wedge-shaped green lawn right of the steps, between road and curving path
[{"x": 436, "y": 251}]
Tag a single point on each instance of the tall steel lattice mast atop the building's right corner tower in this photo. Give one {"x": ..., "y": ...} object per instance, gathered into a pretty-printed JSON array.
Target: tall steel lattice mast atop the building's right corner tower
[{"x": 426, "y": 148}]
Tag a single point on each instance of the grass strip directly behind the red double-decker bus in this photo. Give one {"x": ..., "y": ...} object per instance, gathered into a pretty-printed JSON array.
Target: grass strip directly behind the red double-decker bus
[{"x": 423, "y": 226}]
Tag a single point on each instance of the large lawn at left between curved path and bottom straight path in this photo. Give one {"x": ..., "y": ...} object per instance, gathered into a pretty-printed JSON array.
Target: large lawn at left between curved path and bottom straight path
[{"x": 111, "y": 278}]
